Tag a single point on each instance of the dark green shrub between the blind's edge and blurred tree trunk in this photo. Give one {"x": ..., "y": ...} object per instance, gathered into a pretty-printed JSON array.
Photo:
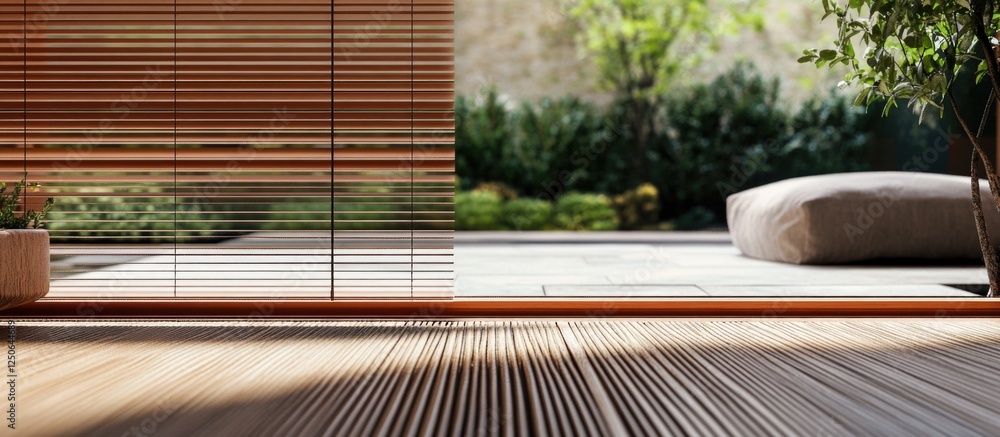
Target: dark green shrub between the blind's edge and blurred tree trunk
[{"x": 543, "y": 148}]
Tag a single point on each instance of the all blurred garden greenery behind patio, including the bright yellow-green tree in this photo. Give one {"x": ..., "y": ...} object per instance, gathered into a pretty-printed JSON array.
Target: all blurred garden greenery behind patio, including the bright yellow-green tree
[{"x": 675, "y": 141}]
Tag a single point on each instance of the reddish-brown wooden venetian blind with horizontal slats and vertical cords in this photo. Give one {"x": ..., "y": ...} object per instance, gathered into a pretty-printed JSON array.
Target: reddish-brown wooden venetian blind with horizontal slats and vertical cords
[{"x": 235, "y": 148}]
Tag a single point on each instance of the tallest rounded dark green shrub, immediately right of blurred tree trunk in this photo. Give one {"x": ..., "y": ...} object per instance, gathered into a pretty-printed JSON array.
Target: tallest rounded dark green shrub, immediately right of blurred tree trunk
[{"x": 716, "y": 133}]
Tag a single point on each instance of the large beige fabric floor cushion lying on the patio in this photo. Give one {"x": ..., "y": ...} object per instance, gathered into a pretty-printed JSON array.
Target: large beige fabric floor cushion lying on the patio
[{"x": 852, "y": 217}]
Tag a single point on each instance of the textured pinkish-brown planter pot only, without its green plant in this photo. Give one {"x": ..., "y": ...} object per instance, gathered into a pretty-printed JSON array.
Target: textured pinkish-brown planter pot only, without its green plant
[{"x": 24, "y": 266}]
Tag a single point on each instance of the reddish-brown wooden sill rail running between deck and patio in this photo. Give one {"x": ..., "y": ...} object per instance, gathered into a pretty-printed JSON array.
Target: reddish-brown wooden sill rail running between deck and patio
[{"x": 466, "y": 308}]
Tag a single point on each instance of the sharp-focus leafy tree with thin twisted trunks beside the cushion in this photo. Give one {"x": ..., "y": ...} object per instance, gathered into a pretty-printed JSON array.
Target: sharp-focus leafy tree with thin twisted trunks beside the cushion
[{"x": 914, "y": 50}]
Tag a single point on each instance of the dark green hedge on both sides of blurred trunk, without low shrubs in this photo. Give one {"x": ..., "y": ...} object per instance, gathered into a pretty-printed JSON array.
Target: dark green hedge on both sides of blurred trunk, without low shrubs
[{"x": 712, "y": 139}]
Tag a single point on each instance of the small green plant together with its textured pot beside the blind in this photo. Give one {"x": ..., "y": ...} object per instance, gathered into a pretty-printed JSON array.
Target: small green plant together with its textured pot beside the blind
[{"x": 24, "y": 249}]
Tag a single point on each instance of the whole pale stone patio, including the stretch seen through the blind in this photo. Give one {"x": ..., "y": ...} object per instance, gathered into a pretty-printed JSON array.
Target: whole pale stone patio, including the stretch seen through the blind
[{"x": 533, "y": 264}]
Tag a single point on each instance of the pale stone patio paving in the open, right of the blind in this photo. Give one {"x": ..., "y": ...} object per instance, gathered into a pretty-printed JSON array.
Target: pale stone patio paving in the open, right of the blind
[{"x": 675, "y": 264}]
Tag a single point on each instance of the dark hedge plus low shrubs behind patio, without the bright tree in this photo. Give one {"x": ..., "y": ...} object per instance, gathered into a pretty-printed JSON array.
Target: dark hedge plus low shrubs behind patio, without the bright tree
[{"x": 712, "y": 139}]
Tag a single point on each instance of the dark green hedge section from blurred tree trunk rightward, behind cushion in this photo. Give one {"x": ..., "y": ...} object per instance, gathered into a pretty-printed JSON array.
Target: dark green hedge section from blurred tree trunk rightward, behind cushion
[{"x": 733, "y": 133}]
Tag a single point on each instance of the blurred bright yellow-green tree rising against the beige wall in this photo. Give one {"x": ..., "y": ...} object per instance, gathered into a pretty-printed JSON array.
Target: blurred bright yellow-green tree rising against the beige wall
[{"x": 641, "y": 47}]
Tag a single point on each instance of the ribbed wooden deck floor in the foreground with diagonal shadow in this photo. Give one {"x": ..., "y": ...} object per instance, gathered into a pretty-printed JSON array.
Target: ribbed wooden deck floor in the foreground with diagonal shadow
[{"x": 601, "y": 377}]
